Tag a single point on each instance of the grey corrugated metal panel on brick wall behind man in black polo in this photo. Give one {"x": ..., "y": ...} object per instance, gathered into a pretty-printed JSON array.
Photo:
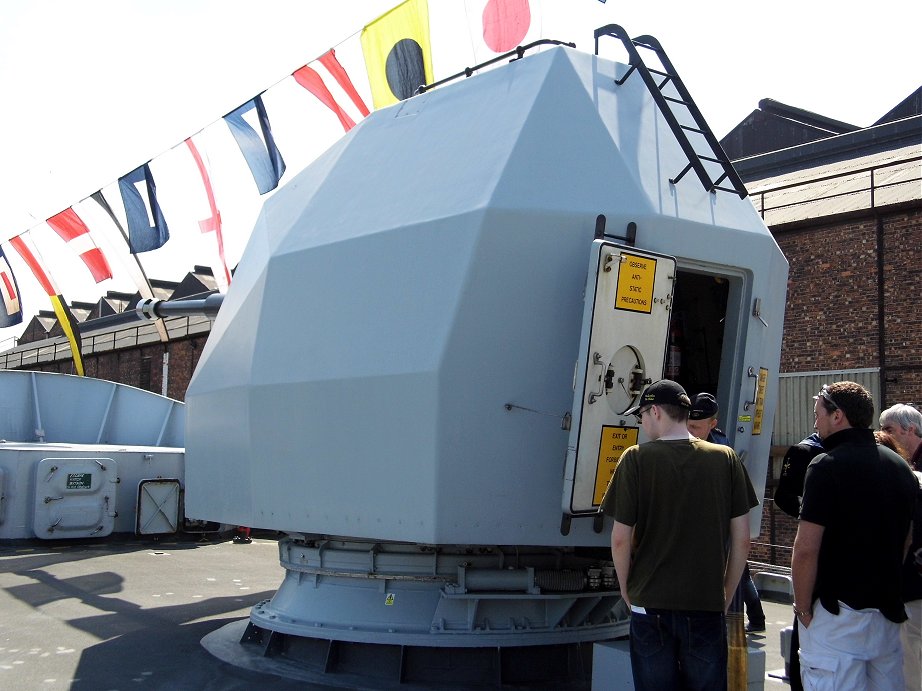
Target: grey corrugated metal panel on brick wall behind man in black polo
[{"x": 794, "y": 416}]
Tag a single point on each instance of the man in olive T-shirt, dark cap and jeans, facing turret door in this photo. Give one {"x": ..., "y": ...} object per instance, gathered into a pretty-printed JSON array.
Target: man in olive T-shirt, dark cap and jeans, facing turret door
[{"x": 679, "y": 542}]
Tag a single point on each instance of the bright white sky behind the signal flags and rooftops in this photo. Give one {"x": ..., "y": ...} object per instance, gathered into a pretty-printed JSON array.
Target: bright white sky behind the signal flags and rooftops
[{"x": 95, "y": 88}]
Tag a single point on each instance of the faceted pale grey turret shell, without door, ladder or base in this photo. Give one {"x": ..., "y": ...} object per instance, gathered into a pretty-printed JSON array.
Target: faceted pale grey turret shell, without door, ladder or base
[{"x": 396, "y": 354}]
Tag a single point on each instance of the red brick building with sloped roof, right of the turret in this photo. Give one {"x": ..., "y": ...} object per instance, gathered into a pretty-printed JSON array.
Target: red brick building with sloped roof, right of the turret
[{"x": 845, "y": 206}]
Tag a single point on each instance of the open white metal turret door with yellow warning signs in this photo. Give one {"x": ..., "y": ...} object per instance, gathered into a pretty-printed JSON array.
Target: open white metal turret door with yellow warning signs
[{"x": 622, "y": 349}]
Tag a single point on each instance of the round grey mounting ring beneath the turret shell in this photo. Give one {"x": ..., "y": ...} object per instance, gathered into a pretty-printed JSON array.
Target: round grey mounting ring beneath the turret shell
[{"x": 412, "y": 595}]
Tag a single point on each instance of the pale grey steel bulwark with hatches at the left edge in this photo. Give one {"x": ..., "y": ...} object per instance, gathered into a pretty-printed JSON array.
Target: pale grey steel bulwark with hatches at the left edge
[{"x": 74, "y": 452}]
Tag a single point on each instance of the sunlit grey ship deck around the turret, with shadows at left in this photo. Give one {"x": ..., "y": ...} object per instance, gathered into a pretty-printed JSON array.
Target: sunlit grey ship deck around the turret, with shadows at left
[{"x": 132, "y": 614}]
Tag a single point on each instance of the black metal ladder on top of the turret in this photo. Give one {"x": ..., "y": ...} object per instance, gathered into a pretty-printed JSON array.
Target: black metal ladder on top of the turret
[{"x": 715, "y": 153}]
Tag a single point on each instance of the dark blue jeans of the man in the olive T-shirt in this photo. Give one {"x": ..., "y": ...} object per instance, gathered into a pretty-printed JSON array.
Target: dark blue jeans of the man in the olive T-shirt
[{"x": 672, "y": 649}]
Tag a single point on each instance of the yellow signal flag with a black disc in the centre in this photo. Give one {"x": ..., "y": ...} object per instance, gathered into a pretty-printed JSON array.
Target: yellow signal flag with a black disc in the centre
[{"x": 397, "y": 53}]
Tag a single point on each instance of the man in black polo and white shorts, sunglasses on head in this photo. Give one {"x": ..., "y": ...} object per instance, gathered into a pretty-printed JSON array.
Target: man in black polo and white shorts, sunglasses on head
[{"x": 848, "y": 553}]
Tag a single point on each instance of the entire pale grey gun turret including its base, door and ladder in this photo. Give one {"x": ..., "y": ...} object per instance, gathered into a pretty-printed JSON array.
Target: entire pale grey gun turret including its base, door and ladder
[{"x": 421, "y": 370}]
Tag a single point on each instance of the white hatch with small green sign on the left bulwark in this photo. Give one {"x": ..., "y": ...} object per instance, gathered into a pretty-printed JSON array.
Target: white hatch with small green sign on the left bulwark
[{"x": 74, "y": 497}]
